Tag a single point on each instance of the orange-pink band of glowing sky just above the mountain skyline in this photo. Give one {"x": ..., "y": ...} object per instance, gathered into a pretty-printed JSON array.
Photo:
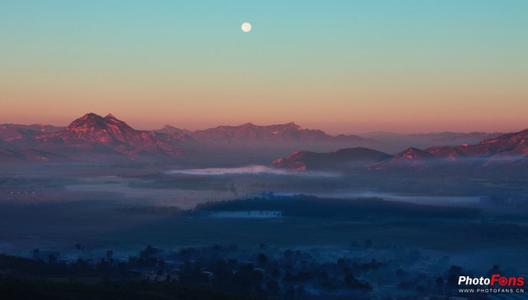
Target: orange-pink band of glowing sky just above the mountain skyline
[{"x": 339, "y": 112}]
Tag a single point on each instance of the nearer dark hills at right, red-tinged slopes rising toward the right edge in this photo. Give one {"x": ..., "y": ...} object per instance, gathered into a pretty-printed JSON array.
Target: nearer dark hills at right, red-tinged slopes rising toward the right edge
[{"x": 507, "y": 149}]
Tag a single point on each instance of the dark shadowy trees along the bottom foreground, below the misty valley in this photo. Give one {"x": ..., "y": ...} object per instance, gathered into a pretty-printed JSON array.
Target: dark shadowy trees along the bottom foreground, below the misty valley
[{"x": 209, "y": 272}]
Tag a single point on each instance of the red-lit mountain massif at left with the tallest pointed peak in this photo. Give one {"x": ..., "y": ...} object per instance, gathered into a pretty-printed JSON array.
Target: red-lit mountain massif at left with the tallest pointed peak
[{"x": 86, "y": 137}]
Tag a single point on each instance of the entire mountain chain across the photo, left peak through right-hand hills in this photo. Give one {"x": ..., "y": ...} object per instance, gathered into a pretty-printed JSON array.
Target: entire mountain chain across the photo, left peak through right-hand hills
[{"x": 92, "y": 137}]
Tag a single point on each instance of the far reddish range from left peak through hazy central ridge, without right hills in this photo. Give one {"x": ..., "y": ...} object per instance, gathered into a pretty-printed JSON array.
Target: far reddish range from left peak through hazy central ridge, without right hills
[{"x": 94, "y": 137}]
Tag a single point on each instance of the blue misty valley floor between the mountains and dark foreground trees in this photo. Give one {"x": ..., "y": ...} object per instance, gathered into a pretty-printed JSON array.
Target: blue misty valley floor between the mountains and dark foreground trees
[{"x": 474, "y": 222}]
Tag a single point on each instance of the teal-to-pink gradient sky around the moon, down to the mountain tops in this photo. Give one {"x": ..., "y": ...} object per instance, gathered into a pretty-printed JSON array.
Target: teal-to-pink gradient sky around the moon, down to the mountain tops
[{"x": 343, "y": 67}]
